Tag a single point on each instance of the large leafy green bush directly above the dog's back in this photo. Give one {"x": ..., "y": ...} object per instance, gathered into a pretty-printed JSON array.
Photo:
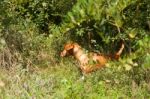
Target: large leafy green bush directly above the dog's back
[{"x": 108, "y": 21}]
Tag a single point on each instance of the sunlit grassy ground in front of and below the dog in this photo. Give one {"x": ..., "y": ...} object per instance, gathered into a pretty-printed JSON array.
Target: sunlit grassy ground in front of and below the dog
[{"x": 65, "y": 81}]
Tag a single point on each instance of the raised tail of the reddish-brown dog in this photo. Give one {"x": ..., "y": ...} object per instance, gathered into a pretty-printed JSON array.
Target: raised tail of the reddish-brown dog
[{"x": 117, "y": 54}]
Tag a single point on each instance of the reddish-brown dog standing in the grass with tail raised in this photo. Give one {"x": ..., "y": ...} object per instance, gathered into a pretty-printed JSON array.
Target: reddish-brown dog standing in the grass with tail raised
[{"x": 85, "y": 59}]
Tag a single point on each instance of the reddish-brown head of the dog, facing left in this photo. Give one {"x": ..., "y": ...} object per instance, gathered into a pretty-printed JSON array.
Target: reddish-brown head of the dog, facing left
[{"x": 68, "y": 49}]
